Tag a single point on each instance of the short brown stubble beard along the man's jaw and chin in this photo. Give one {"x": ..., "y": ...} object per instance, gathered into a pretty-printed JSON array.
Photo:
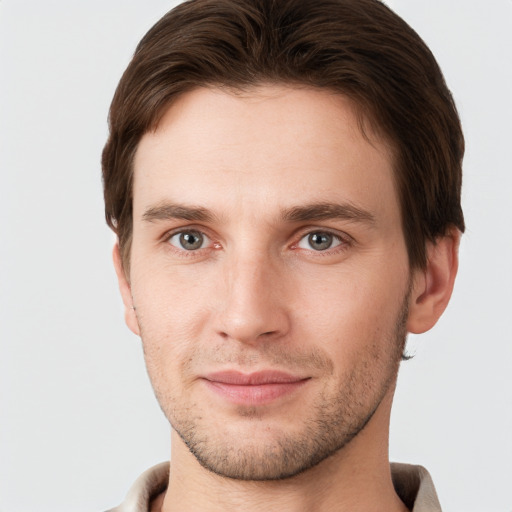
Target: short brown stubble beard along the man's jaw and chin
[{"x": 333, "y": 424}]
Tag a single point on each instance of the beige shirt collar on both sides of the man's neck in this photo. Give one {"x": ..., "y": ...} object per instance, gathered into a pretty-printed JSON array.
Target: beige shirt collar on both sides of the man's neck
[{"x": 412, "y": 483}]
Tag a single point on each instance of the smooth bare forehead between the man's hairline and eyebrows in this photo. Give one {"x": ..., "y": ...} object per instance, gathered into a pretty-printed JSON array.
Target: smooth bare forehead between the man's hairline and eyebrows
[{"x": 268, "y": 148}]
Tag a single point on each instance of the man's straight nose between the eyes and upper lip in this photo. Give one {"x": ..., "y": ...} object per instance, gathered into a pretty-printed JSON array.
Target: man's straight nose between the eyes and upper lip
[{"x": 254, "y": 301}]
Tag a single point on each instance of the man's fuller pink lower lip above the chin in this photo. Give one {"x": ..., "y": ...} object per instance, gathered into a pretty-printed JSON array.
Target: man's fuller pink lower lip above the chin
[{"x": 257, "y": 394}]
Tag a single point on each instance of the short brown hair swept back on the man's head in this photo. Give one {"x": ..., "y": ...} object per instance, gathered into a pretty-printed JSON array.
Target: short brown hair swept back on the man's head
[{"x": 358, "y": 48}]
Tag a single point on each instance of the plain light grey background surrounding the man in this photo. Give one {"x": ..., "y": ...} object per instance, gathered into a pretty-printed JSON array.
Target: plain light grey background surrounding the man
[{"x": 78, "y": 419}]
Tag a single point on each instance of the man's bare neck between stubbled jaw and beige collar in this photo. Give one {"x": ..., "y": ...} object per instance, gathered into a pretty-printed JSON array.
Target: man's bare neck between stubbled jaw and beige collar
[{"x": 356, "y": 478}]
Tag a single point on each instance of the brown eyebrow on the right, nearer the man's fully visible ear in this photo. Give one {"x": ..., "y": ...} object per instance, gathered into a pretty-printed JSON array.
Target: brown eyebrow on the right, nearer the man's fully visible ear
[{"x": 326, "y": 211}]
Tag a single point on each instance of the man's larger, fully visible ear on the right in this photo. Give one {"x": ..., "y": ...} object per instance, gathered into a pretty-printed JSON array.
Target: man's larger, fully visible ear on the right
[{"x": 433, "y": 286}]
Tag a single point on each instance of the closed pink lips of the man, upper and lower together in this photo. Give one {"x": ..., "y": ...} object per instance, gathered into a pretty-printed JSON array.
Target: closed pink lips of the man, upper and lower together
[{"x": 256, "y": 388}]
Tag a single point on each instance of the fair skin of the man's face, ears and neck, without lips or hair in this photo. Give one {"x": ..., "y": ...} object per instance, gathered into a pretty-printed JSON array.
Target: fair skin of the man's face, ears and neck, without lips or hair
[{"x": 256, "y": 295}]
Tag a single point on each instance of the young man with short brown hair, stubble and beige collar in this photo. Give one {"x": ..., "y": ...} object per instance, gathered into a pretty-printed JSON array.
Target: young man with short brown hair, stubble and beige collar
[{"x": 284, "y": 180}]
